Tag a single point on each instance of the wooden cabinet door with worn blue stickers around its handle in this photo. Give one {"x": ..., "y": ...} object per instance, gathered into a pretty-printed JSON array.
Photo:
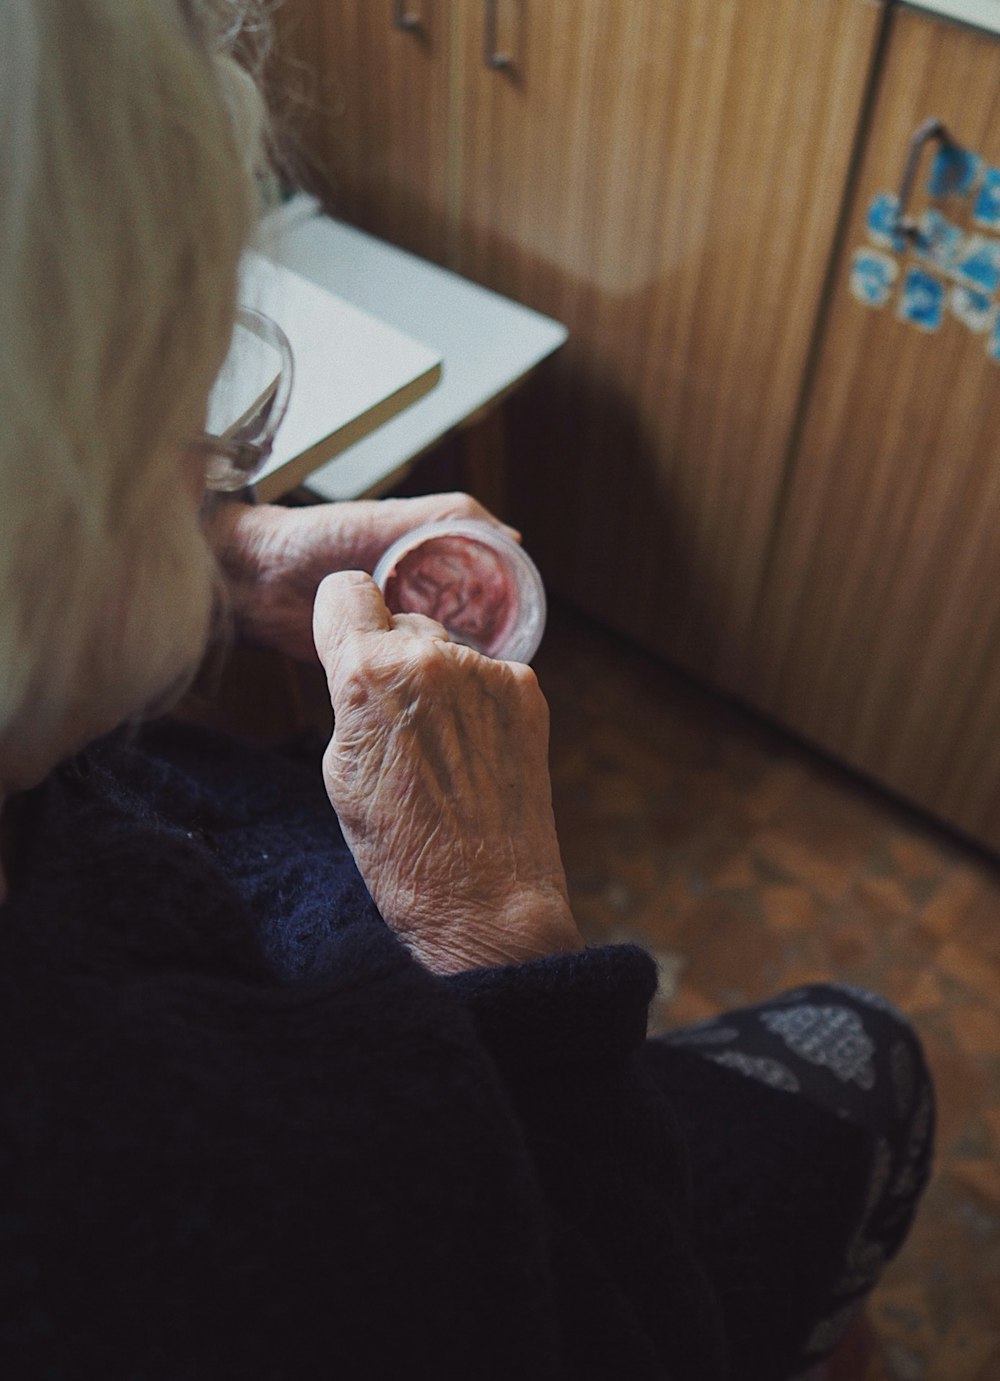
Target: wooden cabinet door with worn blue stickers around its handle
[{"x": 881, "y": 624}]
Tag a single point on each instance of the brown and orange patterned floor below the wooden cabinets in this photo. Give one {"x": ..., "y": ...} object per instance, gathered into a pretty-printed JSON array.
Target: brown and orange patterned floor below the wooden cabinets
[{"x": 749, "y": 865}]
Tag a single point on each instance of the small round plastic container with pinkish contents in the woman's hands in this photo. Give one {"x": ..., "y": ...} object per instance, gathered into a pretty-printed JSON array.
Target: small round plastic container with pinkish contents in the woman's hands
[{"x": 473, "y": 579}]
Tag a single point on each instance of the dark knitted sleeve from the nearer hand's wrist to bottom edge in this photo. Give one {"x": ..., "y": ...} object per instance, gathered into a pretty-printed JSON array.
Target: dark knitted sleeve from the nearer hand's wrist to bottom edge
[{"x": 566, "y": 1035}]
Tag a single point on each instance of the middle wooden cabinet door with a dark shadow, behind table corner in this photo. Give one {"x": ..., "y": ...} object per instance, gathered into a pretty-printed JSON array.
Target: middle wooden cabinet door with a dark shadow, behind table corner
[{"x": 666, "y": 179}]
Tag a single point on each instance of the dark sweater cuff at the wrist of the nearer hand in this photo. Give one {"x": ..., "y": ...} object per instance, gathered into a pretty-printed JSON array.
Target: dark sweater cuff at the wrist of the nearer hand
[{"x": 585, "y": 1010}]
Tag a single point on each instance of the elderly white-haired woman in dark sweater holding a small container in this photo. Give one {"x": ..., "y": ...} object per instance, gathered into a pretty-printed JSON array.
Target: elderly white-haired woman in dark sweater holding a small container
[{"x": 306, "y": 1068}]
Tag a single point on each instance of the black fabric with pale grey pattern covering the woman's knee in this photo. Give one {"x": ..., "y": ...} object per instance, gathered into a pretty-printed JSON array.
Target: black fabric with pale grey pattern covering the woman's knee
[{"x": 838, "y": 1056}]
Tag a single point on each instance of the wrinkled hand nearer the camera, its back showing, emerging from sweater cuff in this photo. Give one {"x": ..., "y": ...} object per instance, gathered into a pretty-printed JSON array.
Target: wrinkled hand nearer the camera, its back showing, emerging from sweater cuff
[{"x": 439, "y": 770}]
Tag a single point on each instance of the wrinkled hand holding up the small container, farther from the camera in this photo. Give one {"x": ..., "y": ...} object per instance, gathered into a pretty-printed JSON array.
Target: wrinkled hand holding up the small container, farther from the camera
[{"x": 274, "y": 559}]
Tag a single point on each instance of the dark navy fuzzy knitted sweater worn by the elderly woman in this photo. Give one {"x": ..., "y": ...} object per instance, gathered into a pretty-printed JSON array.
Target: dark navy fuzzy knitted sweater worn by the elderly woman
[{"x": 247, "y": 1136}]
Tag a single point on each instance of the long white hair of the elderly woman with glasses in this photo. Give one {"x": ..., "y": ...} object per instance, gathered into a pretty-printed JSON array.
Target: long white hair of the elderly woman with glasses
[{"x": 128, "y": 146}]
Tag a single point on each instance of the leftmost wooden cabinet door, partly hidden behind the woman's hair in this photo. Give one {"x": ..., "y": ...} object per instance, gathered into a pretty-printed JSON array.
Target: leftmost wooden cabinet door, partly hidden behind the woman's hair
[{"x": 372, "y": 103}]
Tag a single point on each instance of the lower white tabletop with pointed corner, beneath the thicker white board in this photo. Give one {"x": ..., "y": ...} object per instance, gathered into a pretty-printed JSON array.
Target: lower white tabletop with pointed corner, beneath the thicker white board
[{"x": 488, "y": 346}]
